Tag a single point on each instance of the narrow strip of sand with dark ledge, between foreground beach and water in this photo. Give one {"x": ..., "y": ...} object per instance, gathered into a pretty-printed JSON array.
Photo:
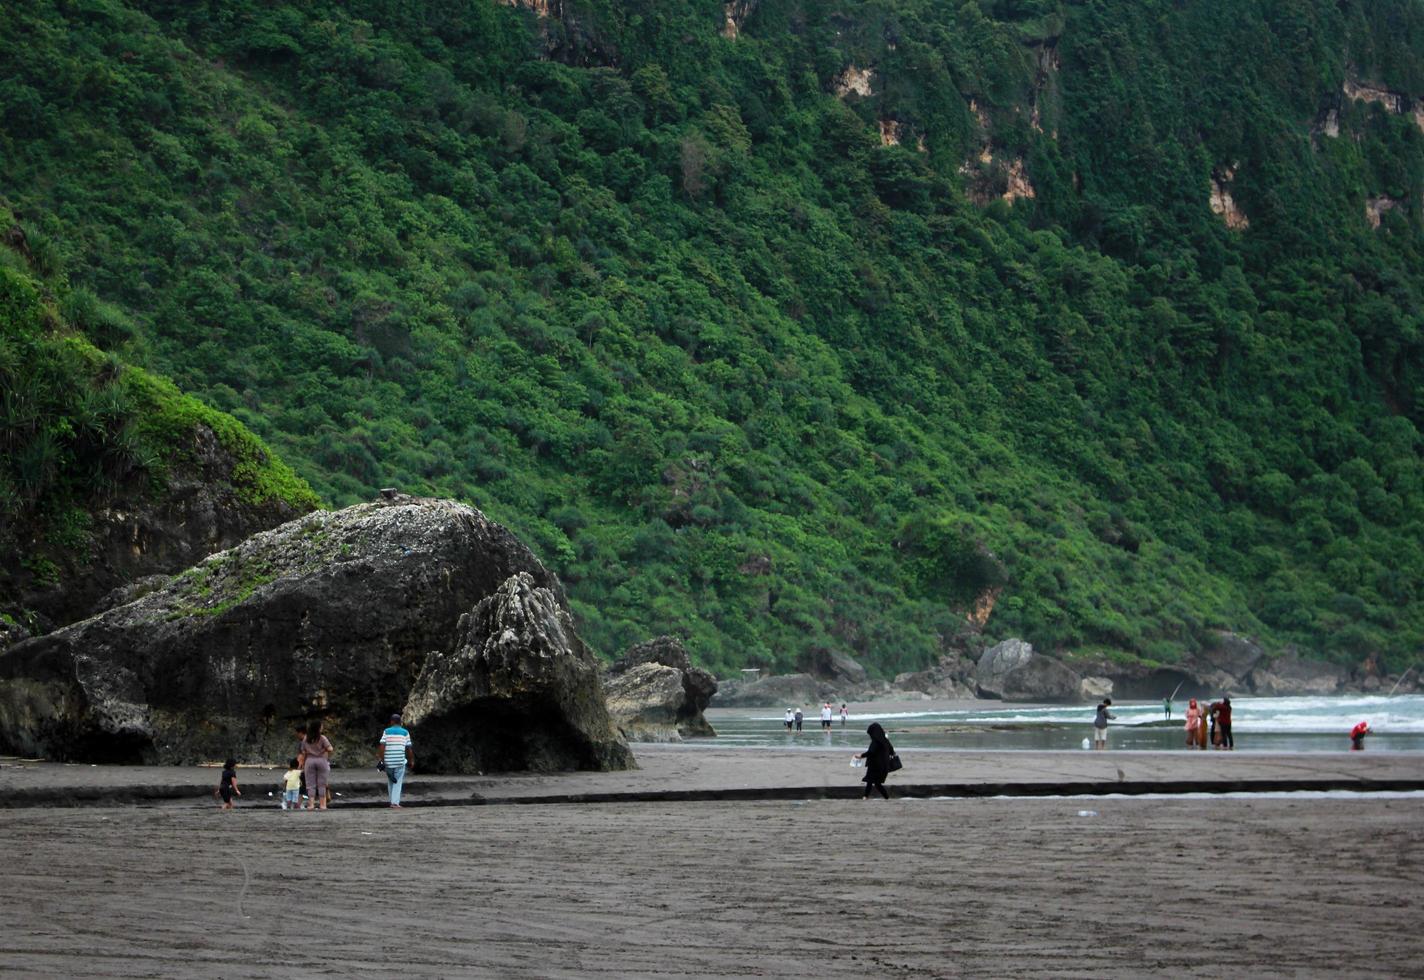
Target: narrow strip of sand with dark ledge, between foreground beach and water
[{"x": 677, "y": 774}]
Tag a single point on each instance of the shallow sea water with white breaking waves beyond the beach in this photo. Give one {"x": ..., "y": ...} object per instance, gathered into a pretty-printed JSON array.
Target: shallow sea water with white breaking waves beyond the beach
[{"x": 1315, "y": 724}]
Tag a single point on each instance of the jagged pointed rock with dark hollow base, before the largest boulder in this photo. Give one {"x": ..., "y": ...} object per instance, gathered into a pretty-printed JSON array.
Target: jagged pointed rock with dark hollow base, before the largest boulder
[{"x": 519, "y": 692}]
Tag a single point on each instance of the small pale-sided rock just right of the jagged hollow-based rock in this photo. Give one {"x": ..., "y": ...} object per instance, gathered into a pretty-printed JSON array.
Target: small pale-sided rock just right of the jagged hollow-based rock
[{"x": 656, "y": 694}]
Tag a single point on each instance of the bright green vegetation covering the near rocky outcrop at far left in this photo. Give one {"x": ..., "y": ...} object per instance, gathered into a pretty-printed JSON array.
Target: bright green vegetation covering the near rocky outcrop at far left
[{"x": 80, "y": 429}]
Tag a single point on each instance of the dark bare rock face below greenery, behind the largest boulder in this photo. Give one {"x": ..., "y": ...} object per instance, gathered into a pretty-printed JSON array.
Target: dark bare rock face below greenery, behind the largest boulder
[{"x": 197, "y": 514}]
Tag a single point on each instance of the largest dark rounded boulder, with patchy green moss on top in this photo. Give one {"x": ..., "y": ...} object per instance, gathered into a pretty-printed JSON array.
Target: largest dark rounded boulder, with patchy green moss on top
[{"x": 333, "y": 615}]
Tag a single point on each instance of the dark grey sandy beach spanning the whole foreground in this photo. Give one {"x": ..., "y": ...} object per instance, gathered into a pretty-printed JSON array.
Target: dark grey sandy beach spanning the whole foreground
[{"x": 1218, "y": 887}]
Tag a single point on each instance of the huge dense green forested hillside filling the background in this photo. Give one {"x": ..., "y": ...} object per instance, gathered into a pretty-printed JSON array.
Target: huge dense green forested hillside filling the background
[{"x": 667, "y": 304}]
